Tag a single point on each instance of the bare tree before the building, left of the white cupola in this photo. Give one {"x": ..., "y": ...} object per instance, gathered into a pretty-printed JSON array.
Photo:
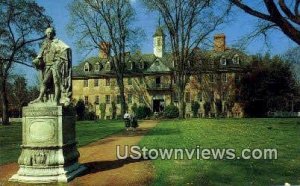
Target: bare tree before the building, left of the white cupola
[{"x": 98, "y": 21}]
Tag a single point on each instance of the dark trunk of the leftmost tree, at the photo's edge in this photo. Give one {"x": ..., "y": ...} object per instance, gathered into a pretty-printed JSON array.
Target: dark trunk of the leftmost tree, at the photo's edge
[{"x": 3, "y": 93}]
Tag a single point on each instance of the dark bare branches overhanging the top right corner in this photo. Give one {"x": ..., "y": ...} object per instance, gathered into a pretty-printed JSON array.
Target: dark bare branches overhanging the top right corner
[{"x": 280, "y": 14}]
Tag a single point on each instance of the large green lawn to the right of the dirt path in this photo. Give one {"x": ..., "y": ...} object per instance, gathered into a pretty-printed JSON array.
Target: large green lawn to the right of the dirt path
[{"x": 282, "y": 134}]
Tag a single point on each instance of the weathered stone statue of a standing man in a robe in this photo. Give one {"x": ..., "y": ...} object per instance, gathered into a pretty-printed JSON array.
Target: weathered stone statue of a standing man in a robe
[{"x": 54, "y": 63}]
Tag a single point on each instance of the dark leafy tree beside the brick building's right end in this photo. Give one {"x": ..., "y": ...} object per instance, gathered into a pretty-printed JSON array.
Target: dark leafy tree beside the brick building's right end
[{"x": 269, "y": 86}]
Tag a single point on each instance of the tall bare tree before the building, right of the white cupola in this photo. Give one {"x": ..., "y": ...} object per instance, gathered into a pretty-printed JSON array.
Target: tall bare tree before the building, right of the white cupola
[{"x": 189, "y": 23}]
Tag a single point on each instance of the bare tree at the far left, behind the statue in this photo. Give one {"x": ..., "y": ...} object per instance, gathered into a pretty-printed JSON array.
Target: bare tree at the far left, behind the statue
[{"x": 21, "y": 25}]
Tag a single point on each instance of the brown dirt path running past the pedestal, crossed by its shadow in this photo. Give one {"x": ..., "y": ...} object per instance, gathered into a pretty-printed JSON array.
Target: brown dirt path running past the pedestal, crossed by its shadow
[{"x": 103, "y": 166}]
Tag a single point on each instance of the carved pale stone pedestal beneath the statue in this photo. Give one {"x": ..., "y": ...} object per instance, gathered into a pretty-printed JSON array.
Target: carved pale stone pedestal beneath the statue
[{"x": 49, "y": 152}]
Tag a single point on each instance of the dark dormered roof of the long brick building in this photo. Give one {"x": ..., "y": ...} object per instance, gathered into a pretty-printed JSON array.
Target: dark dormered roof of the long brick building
[{"x": 138, "y": 63}]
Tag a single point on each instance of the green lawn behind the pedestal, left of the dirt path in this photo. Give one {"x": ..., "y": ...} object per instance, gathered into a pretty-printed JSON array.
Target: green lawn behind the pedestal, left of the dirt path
[{"x": 86, "y": 132}]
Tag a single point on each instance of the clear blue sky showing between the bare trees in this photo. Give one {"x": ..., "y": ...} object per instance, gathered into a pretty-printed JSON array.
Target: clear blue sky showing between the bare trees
[{"x": 239, "y": 27}]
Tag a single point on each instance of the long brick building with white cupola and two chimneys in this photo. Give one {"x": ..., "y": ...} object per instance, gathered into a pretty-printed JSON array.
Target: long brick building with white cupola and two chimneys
[{"x": 149, "y": 80}]
